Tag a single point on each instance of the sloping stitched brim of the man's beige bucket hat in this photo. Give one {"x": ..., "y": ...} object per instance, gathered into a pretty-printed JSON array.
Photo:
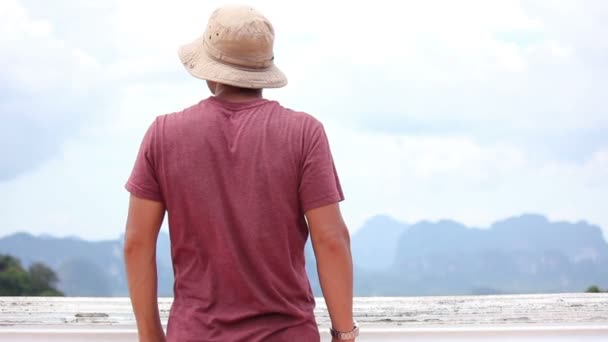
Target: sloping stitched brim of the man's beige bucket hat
[{"x": 200, "y": 65}]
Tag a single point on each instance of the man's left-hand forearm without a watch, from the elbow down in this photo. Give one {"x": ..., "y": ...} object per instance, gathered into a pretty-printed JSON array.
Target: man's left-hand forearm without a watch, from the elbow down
[{"x": 142, "y": 279}]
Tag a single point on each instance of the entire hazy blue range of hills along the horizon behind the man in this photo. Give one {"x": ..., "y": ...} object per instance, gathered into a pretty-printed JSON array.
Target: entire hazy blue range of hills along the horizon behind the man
[{"x": 523, "y": 254}]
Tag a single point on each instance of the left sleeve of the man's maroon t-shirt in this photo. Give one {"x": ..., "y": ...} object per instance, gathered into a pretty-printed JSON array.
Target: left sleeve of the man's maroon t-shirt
[{"x": 143, "y": 182}]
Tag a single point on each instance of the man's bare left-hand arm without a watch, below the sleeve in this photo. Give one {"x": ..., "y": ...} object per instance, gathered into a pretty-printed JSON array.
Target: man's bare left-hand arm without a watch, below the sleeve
[{"x": 143, "y": 224}]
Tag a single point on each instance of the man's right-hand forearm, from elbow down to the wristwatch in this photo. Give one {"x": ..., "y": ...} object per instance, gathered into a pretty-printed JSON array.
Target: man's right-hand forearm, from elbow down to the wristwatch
[{"x": 335, "y": 269}]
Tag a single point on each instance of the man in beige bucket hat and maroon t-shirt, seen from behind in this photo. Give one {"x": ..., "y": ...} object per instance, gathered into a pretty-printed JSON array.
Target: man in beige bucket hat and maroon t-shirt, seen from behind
[{"x": 243, "y": 181}]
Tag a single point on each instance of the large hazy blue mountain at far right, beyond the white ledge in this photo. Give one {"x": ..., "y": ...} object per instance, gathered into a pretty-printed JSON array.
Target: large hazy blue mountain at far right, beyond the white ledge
[{"x": 524, "y": 254}]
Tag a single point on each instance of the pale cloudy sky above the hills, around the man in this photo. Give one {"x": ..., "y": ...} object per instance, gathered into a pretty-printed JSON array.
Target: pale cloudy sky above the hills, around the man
[{"x": 467, "y": 110}]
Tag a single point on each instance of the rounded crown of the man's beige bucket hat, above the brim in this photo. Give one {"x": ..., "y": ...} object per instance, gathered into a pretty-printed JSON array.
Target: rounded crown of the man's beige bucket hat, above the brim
[{"x": 240, "y": 36}]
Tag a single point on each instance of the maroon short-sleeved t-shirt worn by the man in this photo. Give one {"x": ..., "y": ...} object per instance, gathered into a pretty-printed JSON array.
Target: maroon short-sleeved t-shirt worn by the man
[{"x": 236, "y": 179}]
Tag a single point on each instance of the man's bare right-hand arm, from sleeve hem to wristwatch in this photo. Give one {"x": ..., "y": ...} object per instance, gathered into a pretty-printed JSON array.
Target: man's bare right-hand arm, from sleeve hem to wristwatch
[{"x": 331, "y": 244}]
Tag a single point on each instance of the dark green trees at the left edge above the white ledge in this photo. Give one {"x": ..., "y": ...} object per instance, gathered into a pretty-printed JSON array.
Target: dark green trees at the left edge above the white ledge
[{"x": 38, "y": 280}]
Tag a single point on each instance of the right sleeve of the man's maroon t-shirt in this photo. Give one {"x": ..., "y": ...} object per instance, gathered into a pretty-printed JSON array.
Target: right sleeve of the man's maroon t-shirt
[{"x": 319, "y": 183}]
